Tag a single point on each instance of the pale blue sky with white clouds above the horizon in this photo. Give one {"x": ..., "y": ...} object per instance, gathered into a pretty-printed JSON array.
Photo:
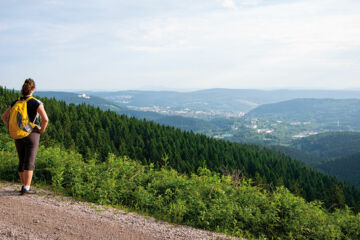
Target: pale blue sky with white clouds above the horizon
[{"x": 180, "y": 45}]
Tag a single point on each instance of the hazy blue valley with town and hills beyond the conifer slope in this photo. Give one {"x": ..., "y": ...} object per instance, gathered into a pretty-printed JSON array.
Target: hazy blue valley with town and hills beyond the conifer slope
[{"x": 275, "y": 118}]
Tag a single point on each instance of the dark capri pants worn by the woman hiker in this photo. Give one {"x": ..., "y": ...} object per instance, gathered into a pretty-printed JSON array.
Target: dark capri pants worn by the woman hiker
[{"x": 27, "y": 149}]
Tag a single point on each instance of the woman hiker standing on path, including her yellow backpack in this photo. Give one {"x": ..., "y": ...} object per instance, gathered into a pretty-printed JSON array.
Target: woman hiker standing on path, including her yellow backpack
[{"x": 24, "y": 128}]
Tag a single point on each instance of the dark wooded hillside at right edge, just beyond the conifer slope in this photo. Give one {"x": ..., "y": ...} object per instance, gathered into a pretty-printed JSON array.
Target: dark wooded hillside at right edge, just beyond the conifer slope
[{"x": 334, "y": 153}]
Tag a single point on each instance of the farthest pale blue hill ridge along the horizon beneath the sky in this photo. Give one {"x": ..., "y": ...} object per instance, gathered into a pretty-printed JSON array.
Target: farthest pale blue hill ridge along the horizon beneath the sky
[{"x": 226, "y": 100}]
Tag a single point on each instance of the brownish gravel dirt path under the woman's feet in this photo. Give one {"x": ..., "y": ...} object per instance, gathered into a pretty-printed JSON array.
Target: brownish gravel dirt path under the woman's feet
[{"x": 44, "y": 216}]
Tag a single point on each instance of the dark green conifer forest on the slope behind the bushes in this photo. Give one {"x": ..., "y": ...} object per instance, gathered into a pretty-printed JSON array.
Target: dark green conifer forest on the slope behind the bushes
[{"x": 95, "y": 133}]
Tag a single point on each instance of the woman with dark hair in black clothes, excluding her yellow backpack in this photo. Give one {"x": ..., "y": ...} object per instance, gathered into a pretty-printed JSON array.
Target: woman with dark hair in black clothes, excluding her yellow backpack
[{"x": 27, "y": 147}]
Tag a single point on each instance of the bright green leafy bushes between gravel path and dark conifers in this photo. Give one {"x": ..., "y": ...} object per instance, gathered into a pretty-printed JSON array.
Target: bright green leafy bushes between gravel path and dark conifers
[{"x": 204, "y": 199}]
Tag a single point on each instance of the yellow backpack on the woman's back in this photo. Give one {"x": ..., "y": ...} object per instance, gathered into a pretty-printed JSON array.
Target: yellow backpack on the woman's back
[{"x": 19, "y": 123}]
